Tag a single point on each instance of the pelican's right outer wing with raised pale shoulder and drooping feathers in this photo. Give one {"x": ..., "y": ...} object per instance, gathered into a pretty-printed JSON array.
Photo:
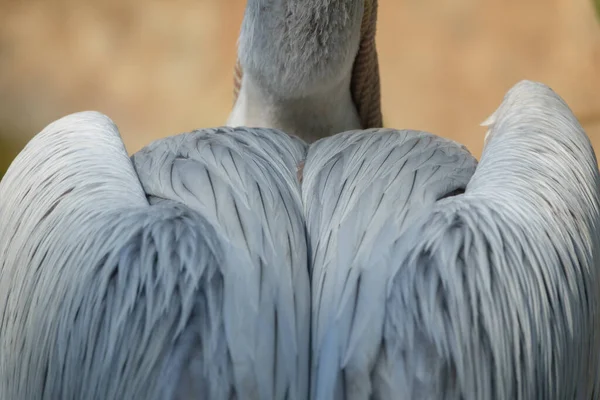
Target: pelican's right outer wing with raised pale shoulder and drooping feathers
[{"x": 495, "y": 293}]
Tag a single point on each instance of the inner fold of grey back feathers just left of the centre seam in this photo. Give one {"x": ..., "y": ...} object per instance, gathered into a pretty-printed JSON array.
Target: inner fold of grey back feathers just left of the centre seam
[{"x": 244, "y": 182}]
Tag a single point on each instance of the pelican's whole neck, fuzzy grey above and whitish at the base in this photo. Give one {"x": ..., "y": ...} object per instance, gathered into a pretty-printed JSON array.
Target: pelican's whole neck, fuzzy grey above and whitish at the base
[{"x": 297, "y": 58}]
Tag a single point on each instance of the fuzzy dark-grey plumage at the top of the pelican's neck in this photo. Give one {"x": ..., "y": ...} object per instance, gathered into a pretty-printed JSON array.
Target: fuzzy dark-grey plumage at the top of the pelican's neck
[{"x": 296, "y": 61}]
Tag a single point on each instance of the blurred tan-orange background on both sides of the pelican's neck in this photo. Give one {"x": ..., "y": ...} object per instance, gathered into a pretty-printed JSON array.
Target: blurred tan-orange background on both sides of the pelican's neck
[{"x": 159, "y": 67}]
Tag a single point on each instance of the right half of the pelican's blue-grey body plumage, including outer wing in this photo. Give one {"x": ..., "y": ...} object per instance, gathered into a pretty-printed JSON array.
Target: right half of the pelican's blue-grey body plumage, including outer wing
[{"x": 435, "y": 277}]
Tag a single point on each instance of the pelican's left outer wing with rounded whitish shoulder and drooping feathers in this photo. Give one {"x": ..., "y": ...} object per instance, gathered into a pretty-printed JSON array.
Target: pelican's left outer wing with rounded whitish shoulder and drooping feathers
[{"x": 104, "y": 296}]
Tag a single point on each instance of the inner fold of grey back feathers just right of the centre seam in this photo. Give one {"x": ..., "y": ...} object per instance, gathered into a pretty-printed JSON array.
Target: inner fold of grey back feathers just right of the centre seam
[{"x": 361, "y": 190}]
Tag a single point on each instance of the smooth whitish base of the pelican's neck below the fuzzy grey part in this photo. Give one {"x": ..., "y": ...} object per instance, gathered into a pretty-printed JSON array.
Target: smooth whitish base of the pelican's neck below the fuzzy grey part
[{"x": 311, "y": 117}]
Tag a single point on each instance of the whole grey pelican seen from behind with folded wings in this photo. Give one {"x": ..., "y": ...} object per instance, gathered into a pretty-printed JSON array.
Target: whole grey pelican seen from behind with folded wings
[{"x": 394, "y": 266}]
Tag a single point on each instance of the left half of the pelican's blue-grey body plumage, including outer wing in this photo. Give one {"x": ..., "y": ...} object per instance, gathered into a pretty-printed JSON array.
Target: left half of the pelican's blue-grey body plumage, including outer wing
[{"x": 105, "y": 296}]
